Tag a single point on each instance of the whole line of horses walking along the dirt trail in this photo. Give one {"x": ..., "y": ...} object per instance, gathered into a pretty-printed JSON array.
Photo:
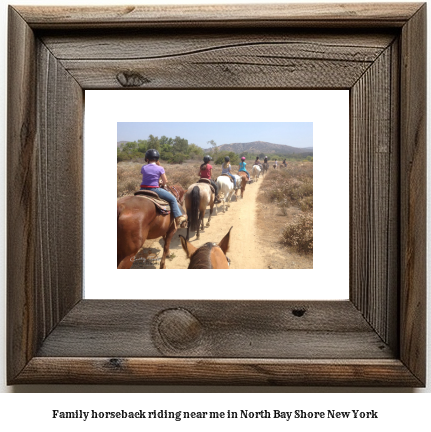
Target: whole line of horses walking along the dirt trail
[{"x": 138, "y": 220}]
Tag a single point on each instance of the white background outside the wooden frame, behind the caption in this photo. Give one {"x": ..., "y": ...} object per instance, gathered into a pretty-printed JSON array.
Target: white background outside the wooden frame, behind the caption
[{"x": 399, "y": 411}]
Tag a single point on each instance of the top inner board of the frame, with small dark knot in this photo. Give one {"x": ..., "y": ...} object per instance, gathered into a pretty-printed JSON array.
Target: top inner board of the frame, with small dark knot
[{"x": 186, "y": 59}]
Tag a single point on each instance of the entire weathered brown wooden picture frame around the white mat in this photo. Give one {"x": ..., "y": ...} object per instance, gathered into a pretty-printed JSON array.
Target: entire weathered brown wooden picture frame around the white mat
[{"x": 376, "y": 338}]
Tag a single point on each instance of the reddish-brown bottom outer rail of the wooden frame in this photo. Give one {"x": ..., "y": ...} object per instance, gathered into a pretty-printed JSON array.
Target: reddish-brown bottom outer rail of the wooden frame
[{"x": 329, "y": 372}]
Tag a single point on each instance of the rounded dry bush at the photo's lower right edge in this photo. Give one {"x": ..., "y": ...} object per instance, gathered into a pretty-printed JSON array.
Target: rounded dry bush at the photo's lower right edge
[{"x": 298, "y": 233}]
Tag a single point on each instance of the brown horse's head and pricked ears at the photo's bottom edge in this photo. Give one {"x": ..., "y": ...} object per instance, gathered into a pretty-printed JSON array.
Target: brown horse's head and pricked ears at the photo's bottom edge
[{"x": 208, "y": 256}]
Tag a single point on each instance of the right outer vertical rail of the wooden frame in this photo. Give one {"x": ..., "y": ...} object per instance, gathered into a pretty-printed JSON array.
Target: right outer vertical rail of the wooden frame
[{"x": 413, "y": 194}]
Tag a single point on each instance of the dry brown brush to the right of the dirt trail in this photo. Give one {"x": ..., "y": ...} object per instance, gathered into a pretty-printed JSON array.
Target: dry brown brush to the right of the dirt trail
[{"x": 292, "y": 188}]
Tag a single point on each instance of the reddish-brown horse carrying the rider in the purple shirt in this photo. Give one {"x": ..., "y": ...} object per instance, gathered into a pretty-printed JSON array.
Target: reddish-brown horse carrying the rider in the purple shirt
[{"x": 139, "y": 220}]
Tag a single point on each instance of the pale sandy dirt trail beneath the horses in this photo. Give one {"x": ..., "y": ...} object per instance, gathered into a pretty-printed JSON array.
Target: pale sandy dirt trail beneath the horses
[{"x": 245, "y": 251}]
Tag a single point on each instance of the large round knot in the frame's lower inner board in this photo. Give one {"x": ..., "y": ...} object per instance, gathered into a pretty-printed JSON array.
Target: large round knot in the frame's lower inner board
[{"x": 178, "y": 329}]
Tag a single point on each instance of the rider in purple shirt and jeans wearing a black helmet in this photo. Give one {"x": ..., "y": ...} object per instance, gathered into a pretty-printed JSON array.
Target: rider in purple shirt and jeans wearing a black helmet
[{"x": 152, "y": 173}]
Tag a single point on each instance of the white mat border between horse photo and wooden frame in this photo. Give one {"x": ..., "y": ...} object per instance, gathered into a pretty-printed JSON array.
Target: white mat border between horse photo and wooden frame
[{"x": 329, "y": 113}]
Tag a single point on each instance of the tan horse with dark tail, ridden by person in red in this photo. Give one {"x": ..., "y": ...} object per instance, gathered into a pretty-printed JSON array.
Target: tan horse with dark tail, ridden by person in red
[{"x": 196, "y": 200}]
